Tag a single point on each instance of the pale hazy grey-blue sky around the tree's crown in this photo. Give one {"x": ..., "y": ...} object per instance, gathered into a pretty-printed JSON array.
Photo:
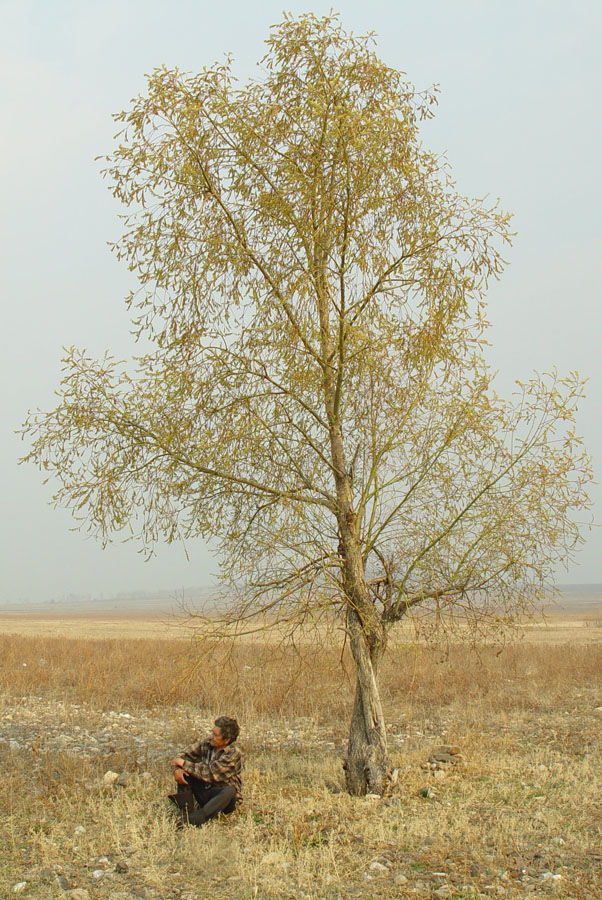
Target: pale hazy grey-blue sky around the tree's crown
[{"x": 519, "y": 117}]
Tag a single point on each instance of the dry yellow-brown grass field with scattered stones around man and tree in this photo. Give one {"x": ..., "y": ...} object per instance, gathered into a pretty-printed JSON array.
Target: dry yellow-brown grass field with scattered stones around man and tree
[{"x": 519, "y": 815}]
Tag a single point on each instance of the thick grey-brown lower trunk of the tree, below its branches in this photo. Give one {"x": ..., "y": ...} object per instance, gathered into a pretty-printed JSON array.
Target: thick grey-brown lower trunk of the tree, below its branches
[{"x": 367, "y": 768}]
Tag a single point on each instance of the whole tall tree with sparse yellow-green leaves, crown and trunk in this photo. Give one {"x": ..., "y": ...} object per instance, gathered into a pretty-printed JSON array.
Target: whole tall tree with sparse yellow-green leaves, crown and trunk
[{"x": 314, "y": 395}]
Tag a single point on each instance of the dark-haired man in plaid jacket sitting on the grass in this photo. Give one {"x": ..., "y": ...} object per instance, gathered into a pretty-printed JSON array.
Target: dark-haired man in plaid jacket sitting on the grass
[{"x": 209, "y": 771}]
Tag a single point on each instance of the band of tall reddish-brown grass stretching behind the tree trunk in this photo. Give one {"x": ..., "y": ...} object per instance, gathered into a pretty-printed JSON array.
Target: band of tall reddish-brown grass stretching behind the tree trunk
[{"x": 261, "y": 680}]
